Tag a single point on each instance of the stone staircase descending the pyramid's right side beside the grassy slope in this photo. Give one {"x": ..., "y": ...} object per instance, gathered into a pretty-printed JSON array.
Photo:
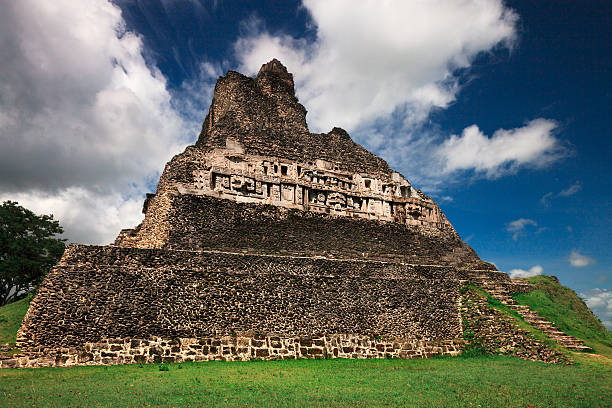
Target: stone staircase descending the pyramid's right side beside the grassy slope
[{"x": 501, "y": 291}]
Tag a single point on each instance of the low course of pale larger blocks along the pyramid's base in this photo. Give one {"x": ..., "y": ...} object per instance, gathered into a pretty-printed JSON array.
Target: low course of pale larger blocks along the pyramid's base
[{"x": 230, "y": 348}]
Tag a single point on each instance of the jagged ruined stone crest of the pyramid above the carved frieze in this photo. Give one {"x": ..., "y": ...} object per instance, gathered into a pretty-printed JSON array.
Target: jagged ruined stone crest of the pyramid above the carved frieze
[{"x": 265, "y": 117}]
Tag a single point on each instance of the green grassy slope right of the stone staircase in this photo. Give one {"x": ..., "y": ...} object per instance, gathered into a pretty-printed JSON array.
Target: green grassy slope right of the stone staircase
[{"x": 568, "y": 312}]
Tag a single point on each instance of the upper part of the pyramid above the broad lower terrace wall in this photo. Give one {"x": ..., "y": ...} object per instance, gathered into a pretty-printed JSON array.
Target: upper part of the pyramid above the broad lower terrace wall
[{"x": 255, "y": 147}]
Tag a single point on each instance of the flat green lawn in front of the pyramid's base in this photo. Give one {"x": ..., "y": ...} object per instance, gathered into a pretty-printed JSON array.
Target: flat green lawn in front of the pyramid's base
[{"x": 439, "y": 382}]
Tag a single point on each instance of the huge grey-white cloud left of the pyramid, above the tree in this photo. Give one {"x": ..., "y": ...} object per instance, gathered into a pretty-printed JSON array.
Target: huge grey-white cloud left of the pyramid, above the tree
[{"x": 85, "y": 122}]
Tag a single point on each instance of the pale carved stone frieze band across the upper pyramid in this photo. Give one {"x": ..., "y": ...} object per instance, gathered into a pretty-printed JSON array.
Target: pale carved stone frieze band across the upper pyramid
[{"x": 320, "y": 187}]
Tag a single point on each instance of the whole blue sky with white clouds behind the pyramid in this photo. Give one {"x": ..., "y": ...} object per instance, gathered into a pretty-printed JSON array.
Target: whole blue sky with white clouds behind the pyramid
[{"x": 499, "y": 110}]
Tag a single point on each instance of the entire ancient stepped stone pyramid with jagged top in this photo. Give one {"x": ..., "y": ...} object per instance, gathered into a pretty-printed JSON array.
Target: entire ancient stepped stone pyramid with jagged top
[{"x": 264, "y": 240}]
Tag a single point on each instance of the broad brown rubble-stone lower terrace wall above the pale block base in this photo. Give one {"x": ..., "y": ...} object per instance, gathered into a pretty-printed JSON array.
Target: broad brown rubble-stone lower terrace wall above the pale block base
[{"x": 113, "y": 292}]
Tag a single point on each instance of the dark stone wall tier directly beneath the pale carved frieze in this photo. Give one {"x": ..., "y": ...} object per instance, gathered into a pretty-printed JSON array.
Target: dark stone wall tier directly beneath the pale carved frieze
[{"x": 203, "y": 223}]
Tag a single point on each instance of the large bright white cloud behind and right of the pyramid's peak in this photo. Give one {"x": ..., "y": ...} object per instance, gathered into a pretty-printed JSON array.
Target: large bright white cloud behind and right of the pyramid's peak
[{"x": 370, "y": 58}]
